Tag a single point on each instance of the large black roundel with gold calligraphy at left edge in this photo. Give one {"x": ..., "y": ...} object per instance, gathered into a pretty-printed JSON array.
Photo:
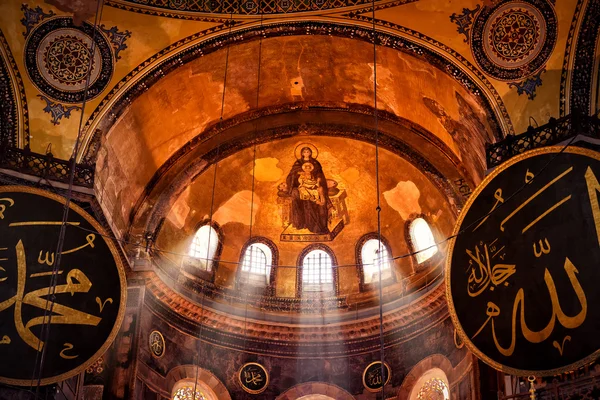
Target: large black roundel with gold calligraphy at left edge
[{"x": 89, "y": 293}]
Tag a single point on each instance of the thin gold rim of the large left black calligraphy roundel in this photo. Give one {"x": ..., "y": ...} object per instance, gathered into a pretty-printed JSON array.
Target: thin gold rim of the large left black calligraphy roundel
[{"x": 120, "y": 314}]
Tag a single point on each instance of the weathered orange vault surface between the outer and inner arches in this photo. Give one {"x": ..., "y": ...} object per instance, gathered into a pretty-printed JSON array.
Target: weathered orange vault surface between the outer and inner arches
[{"x": 310, "y": 70}]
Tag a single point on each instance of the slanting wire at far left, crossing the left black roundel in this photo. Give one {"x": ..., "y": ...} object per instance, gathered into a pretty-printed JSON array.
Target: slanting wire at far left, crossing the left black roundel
[{"x": 37, "y": 373}]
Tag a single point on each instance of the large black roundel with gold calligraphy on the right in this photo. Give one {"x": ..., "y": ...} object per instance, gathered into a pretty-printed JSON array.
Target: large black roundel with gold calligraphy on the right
[{"x": 522, "y": 275}]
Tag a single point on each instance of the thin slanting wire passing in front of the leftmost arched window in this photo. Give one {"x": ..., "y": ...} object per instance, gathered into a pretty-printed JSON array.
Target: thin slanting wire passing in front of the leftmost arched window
[{"x": 211, "y": 259}]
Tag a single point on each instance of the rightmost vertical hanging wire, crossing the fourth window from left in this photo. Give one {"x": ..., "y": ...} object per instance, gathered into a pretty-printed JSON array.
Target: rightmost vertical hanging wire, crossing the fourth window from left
[{"x": 378, "y": 209}]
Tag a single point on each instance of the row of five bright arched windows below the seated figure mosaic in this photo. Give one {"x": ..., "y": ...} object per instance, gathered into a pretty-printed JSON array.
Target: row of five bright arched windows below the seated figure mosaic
[{"x": 317, "y": 262}]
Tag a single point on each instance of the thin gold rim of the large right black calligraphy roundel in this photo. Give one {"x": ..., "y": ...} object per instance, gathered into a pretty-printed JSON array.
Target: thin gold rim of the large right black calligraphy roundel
[{"x": 451, "y": 248}]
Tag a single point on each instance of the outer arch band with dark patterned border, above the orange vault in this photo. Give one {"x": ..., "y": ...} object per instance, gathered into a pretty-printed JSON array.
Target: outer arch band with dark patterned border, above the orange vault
[{"x": 137, "y": 82}]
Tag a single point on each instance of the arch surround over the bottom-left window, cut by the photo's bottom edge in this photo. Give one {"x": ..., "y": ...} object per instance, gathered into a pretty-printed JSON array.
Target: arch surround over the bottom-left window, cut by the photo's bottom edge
[{"x": 205, "y": 380}]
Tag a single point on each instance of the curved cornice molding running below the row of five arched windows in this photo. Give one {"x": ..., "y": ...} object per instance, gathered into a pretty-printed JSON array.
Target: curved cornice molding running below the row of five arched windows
[{"x": 278, "y": 339}]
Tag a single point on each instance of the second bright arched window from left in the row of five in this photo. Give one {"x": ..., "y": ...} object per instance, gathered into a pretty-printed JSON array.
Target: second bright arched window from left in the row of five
[{"x": 256, "y": 264}]
